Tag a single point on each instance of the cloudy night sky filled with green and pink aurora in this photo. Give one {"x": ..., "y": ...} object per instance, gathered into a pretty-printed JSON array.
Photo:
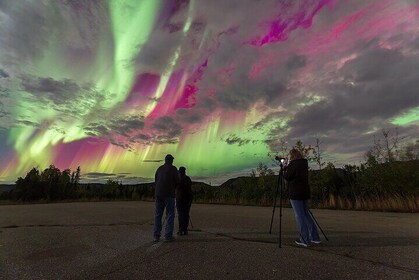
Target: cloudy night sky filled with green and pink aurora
[{"x": 113, "y": 86}]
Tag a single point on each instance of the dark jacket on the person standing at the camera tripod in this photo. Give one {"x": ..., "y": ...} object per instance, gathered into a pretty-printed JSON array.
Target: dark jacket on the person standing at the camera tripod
[{"x": 297, "y": 176}]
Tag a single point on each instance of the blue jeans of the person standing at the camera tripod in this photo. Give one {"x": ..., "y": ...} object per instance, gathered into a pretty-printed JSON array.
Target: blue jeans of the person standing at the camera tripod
[{"x": 306, "y": 226}]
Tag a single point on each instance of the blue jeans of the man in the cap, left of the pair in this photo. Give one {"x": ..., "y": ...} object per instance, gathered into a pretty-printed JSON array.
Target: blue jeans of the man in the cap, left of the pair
[{"x": 169, "y": 204}]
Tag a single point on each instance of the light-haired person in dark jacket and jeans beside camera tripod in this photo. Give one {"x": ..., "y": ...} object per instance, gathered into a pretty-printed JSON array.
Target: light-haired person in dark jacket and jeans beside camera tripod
[{"x": 296, "y": 173}]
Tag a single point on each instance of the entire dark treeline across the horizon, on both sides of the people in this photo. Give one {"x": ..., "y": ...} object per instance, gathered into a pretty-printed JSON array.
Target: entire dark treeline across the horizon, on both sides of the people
[{"x": 387, "y": 180}]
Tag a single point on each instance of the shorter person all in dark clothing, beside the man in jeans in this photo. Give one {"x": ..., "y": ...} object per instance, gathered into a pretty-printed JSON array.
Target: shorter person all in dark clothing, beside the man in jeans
[{"x": 183, "y": 201}]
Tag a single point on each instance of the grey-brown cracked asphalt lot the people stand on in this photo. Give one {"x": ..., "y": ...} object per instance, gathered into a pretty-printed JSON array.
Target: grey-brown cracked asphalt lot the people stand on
[{"x": 113, "y": 240}]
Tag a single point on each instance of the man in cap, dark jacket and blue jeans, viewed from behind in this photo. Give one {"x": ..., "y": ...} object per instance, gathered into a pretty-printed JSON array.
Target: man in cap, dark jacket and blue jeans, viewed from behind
[{"x": 167, "y": 180}]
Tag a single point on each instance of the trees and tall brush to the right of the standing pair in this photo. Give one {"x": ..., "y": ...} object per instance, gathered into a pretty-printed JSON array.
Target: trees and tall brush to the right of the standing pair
[{"x": 387, "y": 180}]
